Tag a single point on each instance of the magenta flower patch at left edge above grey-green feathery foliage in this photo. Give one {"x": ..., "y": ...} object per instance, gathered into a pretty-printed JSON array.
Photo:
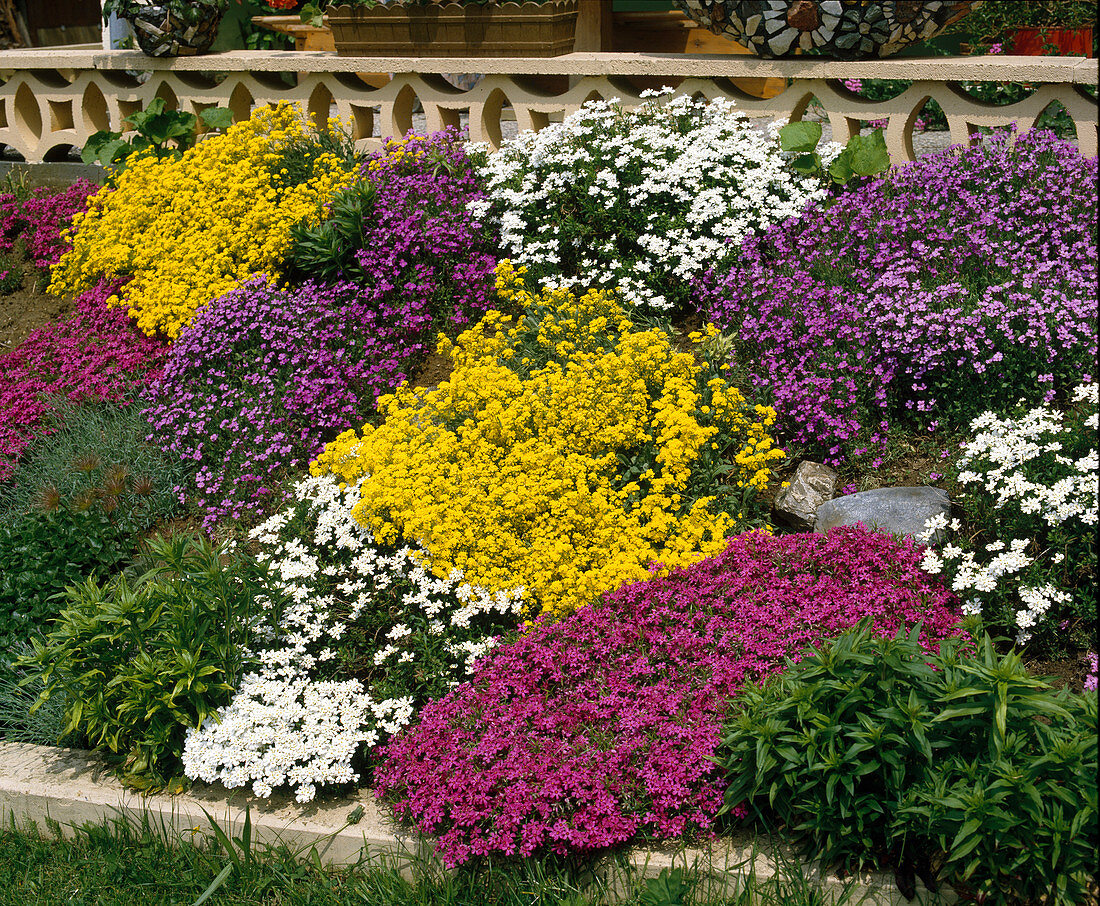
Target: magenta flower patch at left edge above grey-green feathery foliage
[{"x": 95, "y": 353}]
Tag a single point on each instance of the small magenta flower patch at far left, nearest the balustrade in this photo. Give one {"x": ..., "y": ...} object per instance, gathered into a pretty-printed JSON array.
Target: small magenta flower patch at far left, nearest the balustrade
[{"x": 41, "y": 218}]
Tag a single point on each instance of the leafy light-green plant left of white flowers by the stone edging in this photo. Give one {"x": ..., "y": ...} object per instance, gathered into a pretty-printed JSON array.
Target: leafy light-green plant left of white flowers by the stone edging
[{"x": 142, "y": 661}]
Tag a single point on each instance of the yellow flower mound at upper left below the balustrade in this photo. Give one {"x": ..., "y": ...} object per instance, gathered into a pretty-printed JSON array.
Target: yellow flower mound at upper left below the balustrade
[{"x": 191, "y": 230}]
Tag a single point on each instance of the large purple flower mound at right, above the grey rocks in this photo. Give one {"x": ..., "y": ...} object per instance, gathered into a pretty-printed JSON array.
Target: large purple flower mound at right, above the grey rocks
[{"x": 964, "y": 282}]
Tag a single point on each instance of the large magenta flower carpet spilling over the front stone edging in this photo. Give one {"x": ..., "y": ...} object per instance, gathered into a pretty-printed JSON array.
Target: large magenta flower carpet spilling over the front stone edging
[{"x": 589, "y": 732}]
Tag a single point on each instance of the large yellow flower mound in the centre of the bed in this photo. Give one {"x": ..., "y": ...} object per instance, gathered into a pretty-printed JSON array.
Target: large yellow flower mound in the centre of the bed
[{"x": 516, "y": 471}]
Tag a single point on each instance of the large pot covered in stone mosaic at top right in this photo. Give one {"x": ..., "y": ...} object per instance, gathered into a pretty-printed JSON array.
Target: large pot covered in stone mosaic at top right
[{"x": 843, "y": 31}]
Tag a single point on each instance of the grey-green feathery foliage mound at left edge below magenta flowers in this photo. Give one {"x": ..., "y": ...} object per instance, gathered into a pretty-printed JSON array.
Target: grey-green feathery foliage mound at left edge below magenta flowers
[{"x": 96, "y": 452}]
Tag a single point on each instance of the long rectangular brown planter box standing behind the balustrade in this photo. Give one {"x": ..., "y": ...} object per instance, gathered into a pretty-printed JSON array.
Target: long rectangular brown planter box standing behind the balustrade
[{"x": 443, "y": 30}]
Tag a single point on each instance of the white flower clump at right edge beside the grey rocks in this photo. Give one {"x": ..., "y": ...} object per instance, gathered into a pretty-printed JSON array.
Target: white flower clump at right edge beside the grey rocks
[{"x": 1006, "y": 461}]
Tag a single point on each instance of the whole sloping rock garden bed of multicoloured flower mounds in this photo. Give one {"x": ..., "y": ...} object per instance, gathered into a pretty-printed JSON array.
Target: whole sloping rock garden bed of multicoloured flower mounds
[{"x": 637, "y": 482}]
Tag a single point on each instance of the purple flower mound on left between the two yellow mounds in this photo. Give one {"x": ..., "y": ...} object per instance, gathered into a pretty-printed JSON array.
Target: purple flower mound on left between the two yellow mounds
[{"x": 265, "y": 378}]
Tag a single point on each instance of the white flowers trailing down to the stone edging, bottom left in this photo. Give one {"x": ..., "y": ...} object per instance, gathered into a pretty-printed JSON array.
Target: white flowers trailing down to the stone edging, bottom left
[{"x": 288, "y": 724}]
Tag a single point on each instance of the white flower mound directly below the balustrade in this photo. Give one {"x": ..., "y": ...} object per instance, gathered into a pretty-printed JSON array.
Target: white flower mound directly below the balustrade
[{"x": 687, "y": 179}]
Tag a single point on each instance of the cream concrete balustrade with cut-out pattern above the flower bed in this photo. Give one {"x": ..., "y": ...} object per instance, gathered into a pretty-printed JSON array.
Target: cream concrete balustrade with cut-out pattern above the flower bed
[{"x": 52, "y": 100}]
